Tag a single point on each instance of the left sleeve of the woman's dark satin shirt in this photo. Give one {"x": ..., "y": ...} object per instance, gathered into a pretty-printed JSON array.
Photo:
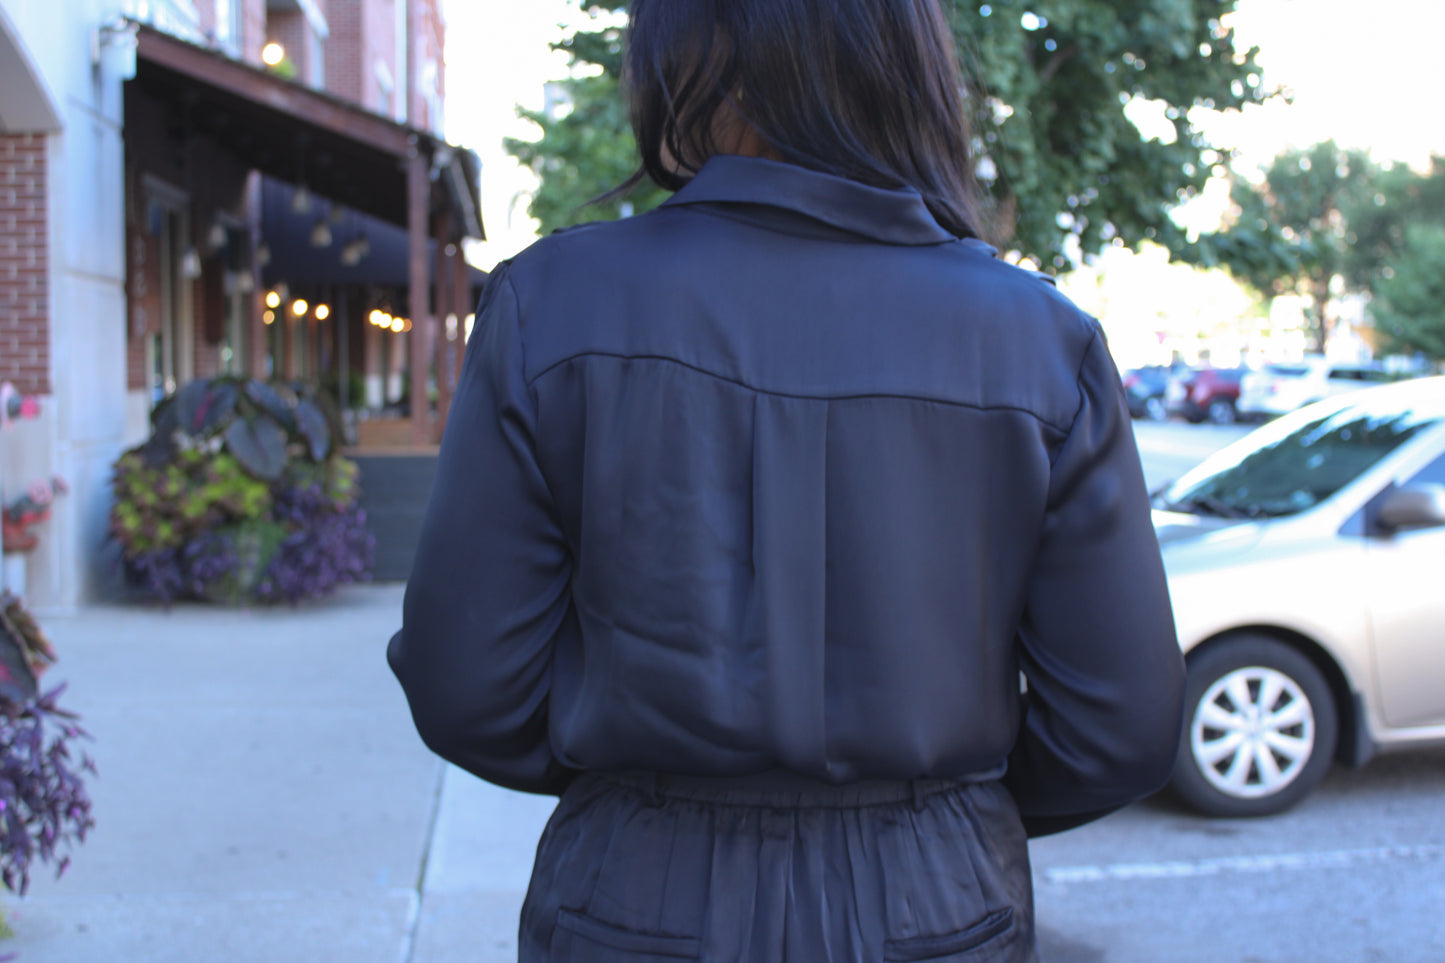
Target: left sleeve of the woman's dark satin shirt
[{"x": 489, "y": 596}]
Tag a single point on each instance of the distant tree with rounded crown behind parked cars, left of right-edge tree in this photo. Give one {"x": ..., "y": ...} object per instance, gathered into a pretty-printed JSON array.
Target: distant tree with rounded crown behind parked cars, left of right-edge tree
[{"x": 1290, "y": 232}]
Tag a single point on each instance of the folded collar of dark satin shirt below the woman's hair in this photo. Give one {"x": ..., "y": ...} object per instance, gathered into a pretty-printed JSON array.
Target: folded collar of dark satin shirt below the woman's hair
[{"x": 895, "y": 218}]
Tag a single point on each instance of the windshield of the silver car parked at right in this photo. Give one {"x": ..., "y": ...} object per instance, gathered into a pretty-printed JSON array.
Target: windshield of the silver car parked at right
[{"x": 1301, "y": 461}]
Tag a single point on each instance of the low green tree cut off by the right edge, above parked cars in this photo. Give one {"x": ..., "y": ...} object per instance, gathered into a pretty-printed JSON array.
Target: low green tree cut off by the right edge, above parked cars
[{"x": 1410, "y": 303}]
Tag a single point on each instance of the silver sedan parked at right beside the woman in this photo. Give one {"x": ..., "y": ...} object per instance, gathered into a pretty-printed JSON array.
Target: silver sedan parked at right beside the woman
[{"x": 1307, "y": 568}]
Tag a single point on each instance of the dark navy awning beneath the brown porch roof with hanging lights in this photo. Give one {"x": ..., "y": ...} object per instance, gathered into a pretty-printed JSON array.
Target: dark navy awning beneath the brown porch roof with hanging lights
[{"x": 294, "y": 260}]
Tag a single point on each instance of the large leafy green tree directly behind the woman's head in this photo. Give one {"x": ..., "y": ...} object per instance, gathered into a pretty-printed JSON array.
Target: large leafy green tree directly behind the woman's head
[{"x": 1053, "y": 87}]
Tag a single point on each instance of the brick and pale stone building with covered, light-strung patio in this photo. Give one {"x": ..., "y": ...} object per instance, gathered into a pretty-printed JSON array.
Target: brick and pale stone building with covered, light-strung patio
[{"x": 138, "y": 141}]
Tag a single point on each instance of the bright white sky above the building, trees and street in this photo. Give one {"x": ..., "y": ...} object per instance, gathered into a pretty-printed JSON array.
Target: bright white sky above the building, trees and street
[{"x": 1363, "y": 73}]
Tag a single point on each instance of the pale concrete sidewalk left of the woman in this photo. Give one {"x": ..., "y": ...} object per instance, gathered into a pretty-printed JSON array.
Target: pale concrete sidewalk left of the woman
[{"x": 264, "y": 797}]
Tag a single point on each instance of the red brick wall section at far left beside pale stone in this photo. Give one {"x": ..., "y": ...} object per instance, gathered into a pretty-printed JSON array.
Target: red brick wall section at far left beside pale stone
[{"x": 25, "y": 330}]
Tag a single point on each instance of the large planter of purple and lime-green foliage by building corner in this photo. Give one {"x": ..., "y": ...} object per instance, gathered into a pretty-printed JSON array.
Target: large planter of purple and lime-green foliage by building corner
[{"x": 241, "y": 497}]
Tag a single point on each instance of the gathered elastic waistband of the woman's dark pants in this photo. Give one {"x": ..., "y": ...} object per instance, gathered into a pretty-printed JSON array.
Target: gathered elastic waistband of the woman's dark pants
[{"x": 782, "y": 789}]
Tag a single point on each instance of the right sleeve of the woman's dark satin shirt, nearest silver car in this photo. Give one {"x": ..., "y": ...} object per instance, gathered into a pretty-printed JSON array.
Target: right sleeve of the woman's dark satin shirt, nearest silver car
[{"x": 1097, "y": 641}]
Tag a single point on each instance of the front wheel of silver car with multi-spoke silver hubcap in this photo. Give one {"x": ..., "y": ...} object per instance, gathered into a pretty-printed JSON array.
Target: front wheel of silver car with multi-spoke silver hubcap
[{"x": 1259, "y": 731}]
